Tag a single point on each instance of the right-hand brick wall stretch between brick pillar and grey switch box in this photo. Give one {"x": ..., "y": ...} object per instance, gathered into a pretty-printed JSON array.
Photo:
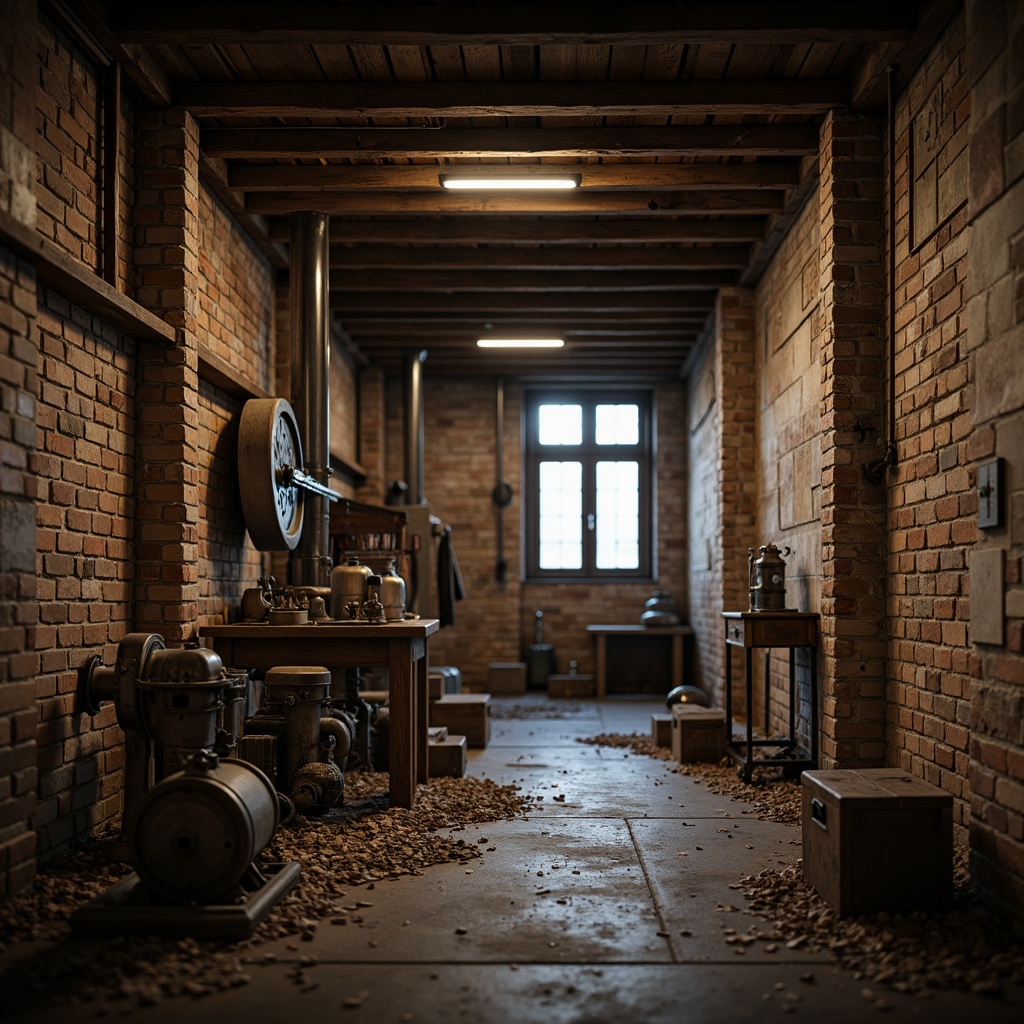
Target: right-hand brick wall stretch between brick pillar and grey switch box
[{"x": 932, "y": 503}]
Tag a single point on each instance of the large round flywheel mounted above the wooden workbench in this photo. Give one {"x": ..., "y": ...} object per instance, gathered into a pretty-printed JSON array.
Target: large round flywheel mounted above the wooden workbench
[{"x": 270, "y": 448}]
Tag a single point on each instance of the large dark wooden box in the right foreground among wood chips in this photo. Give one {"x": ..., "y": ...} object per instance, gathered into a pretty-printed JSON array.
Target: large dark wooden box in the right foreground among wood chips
[{"x": 877, "y": 839}]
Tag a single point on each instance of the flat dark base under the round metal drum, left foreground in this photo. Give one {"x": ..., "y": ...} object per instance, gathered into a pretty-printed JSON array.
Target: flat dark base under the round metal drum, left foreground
[{"x": 126, "y": 909}]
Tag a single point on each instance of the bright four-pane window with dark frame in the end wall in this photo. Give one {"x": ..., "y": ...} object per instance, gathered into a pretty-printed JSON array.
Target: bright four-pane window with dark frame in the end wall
[{"x": 589, "y": 487}]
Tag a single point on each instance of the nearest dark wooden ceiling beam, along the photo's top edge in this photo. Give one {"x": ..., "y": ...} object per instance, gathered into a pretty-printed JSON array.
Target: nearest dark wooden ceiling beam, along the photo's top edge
[{"x": 505, "y": 24}]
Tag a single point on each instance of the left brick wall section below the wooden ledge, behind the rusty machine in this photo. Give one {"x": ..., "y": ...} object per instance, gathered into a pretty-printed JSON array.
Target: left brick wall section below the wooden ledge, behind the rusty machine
[{"x": 86, "y": 466}]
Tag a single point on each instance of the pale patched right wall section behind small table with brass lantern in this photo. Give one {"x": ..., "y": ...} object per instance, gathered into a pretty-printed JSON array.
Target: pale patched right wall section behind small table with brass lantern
[{"x": 788, "y": 332}]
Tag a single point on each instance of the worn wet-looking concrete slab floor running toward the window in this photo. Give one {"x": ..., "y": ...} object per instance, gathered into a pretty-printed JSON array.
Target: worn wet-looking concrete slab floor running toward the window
[{"x": 612, "y": 905}]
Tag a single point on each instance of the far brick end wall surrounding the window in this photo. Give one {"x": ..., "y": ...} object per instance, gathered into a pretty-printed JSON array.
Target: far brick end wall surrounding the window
[{"x": 497, "y": 621}]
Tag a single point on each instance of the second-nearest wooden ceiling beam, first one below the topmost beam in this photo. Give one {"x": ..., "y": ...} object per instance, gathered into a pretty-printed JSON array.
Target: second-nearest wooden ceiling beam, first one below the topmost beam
[{"x": 418, "y": 101}]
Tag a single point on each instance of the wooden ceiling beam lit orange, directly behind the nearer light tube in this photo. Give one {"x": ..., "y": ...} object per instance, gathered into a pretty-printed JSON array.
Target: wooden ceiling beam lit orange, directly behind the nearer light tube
[{"x": 316, "y": 179}]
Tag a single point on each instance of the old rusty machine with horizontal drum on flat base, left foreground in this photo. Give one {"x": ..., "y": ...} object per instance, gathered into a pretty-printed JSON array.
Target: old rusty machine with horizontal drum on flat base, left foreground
[{"x": 193, "y": 835}]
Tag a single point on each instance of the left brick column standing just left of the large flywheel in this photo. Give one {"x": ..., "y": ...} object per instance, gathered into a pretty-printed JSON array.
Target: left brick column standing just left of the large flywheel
[{"x": 167, "y": 397}]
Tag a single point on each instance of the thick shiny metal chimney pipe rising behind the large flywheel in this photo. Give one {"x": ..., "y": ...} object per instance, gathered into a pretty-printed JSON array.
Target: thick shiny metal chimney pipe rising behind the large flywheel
[{"x": 310, "y": 564}]
